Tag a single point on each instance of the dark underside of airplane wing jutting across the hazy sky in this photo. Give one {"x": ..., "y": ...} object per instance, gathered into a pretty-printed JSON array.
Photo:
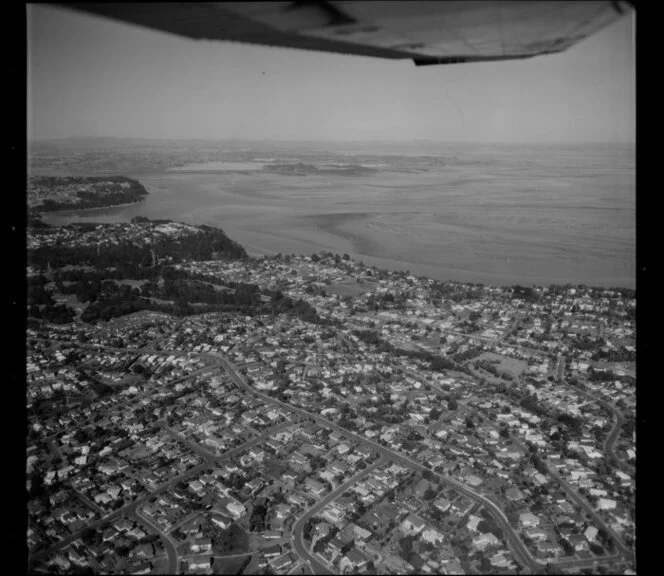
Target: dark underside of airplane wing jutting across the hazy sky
[{"x": 441, "y": 32}]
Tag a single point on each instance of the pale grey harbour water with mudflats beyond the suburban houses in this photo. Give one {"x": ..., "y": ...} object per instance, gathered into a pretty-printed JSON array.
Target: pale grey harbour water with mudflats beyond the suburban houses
[{"x": 502, "y": 215}]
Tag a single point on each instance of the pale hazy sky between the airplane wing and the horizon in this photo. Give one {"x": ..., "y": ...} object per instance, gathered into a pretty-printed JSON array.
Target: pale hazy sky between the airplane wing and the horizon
[{"x": 93, "y": 77}]
